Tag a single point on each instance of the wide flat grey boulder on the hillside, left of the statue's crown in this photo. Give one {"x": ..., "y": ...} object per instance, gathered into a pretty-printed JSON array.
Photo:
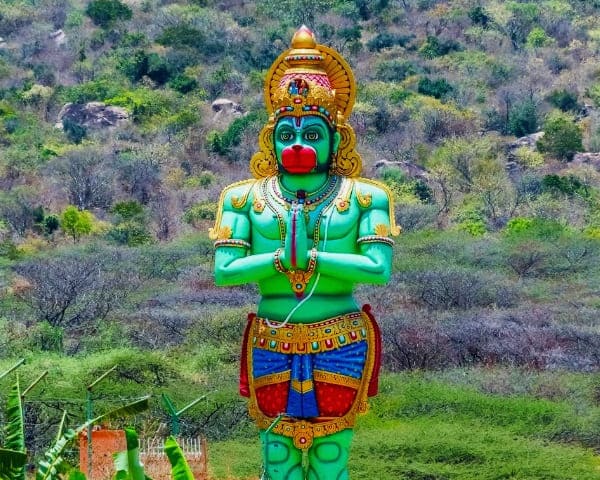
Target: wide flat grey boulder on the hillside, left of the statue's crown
[{"x": 93, "y": 115}]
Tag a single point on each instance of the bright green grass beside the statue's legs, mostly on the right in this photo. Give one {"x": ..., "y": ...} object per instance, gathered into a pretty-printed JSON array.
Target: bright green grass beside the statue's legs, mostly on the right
[{"x": 426, "y": 429}]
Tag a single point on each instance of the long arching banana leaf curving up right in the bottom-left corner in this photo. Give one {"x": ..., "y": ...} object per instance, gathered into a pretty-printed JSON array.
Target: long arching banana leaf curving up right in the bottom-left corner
[{"x": 49, "y": 467}]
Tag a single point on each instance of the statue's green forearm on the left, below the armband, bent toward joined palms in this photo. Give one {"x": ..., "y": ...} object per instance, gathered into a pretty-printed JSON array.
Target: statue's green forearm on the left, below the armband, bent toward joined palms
[{"x": 232, "y": 269}]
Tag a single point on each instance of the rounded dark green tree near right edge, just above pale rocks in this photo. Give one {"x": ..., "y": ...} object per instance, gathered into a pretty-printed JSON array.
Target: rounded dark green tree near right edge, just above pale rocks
[{"x": 562, "y": 136}]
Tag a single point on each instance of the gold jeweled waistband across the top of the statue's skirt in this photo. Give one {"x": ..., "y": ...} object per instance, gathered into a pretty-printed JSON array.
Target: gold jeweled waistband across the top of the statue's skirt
[{"x": 309, "y": 337}]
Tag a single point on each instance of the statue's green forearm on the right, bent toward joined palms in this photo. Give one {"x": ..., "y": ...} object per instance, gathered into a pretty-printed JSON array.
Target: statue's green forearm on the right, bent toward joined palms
[{"x": 357, "y": 268}]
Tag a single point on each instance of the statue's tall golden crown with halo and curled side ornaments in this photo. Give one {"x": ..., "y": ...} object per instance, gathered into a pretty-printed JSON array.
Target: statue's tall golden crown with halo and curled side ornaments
[{"x": 309, "y": 79}]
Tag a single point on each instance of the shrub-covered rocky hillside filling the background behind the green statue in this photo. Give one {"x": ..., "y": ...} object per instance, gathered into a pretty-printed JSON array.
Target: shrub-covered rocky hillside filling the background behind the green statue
[{"x": 122, "y": 120}]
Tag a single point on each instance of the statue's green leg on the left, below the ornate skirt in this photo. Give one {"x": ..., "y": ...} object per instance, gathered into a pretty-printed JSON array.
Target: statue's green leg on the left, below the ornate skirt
[{"x": 282, "y": 460}]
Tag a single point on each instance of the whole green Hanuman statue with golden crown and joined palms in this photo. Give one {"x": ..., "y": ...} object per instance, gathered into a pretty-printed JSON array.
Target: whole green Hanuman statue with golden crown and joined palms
[{"x": 307, "y": 228}]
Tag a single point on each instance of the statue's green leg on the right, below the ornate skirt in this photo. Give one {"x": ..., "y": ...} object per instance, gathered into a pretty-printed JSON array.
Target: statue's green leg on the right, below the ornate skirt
[{"x": 328, "y": 456}]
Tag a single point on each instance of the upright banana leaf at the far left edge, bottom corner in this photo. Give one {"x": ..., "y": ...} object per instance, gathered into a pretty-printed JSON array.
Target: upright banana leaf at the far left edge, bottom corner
[{"x": 15, "y": 436}]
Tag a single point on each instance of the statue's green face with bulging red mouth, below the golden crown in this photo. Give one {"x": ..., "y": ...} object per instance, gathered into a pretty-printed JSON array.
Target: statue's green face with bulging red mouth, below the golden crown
[{"x": 304, "y": 145}]
